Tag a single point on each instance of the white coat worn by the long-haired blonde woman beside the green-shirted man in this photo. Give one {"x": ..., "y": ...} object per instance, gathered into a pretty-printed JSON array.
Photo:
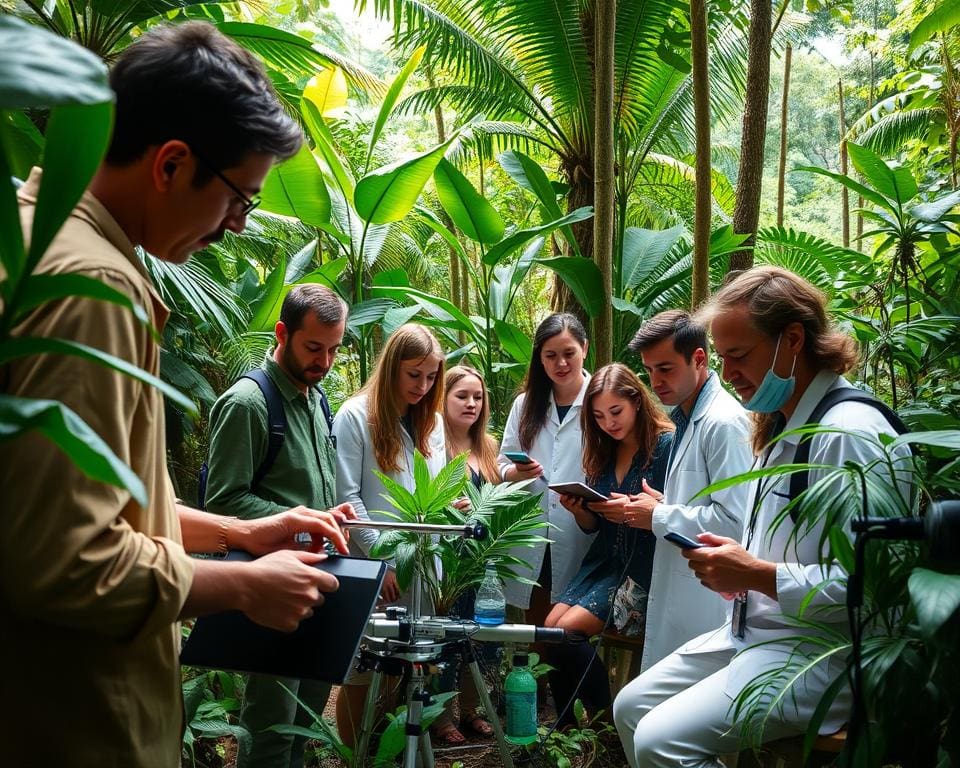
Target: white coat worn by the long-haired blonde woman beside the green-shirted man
[{"x": 357, "y": 482}]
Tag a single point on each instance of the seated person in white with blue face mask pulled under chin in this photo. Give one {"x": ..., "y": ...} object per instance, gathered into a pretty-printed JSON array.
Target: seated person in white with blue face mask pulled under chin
[{"x": 782, "y": 356}]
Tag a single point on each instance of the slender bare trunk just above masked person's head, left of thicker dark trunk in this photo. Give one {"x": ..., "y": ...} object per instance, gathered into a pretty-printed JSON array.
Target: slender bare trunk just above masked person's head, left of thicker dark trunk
[{"x": 699, "y": 59}]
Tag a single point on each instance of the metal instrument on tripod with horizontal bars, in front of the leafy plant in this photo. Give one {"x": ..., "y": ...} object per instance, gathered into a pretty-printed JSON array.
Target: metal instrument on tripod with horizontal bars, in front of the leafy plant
[{"x": 402, "y": 642}]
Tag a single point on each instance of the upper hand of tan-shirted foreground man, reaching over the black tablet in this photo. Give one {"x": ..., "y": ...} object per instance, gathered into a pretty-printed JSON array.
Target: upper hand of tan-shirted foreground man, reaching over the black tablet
[{"x": 269, "y": 534}]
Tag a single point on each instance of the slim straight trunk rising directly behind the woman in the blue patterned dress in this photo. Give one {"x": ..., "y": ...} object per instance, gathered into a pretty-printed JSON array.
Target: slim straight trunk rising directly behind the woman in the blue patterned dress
[{"x": 604, "y": 181}]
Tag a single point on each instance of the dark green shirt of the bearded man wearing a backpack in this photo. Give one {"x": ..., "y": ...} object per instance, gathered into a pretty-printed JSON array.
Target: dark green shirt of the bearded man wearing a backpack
[{"x": 305, "y": 469}]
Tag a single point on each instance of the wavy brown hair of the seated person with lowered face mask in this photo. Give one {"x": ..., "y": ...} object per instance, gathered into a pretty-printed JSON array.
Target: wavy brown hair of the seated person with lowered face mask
[{"x": 775, "y": 298}]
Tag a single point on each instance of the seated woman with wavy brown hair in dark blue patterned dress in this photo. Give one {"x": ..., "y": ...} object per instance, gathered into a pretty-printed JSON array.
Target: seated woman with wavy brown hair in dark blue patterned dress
[{"x": 626, "y": 440}]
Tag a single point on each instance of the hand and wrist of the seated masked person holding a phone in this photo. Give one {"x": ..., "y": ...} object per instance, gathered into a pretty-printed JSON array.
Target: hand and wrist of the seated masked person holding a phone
[{"x": 726, "y": 567}]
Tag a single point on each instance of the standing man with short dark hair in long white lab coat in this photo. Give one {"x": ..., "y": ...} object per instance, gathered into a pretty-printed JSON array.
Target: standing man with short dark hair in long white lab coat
[{"x": 712, "y": 443}]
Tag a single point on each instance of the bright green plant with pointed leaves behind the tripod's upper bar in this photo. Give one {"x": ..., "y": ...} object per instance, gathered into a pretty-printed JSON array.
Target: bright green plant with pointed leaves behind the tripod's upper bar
[{"x": 511, "y": 514}]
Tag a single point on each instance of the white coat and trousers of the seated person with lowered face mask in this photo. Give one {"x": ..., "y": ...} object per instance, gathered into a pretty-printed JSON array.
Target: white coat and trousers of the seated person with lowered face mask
[{"x": 695, "y": 686}]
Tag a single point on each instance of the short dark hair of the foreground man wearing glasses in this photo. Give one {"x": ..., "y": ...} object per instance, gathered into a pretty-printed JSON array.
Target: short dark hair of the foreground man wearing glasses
[{"x": 190, "y": 82}]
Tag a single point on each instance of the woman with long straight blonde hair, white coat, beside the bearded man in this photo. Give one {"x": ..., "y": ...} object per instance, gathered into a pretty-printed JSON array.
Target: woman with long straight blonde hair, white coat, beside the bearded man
[{"x": 379, "y": 428}]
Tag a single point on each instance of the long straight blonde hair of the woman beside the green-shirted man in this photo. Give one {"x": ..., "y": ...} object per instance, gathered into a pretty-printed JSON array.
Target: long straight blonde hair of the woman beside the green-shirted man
[{"x": 408, "y": 342}]
